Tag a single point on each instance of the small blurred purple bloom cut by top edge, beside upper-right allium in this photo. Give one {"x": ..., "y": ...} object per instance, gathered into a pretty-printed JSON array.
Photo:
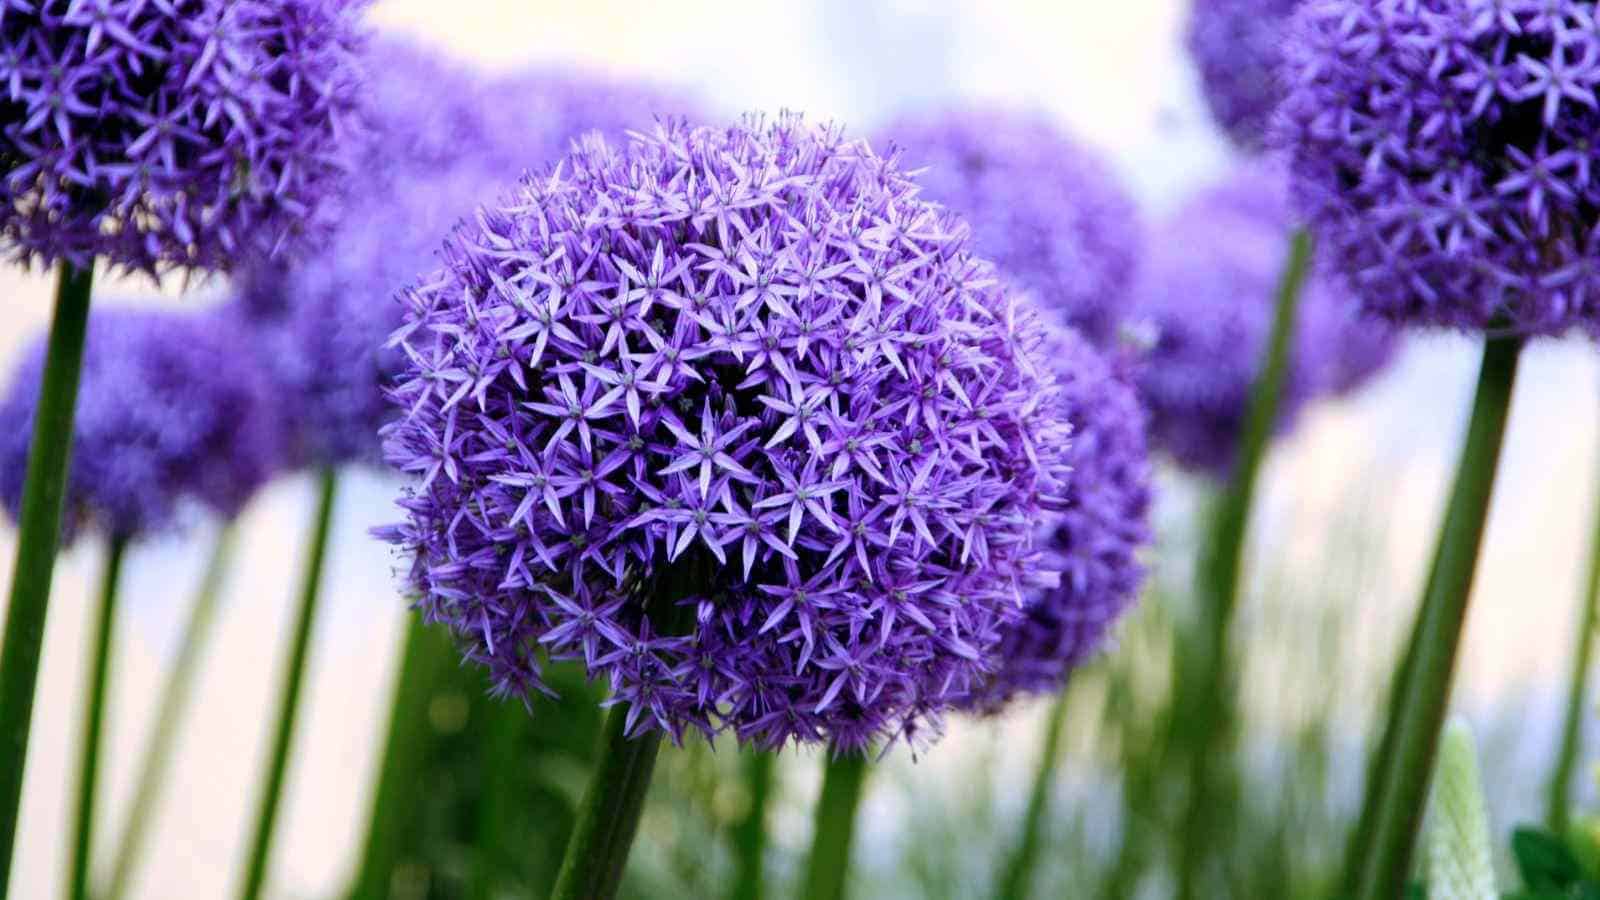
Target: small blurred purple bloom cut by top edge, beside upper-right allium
[{"x": 1238, "y": 46}]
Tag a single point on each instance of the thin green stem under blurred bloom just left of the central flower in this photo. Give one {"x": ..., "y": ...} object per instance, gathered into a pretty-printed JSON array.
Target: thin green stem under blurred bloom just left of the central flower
[{"x": 289, "y": 704}]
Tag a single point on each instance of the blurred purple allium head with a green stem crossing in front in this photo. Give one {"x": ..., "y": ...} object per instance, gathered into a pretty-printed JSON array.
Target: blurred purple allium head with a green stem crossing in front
[{"x": 1209, "y": 292}]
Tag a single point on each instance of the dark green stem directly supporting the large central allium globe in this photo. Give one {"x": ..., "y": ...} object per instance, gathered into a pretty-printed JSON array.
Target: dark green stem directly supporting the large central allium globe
[{"x": 609, "y": 819}]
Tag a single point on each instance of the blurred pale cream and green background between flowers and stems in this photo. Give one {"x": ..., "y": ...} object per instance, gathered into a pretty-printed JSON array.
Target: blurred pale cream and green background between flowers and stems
[{"x": 1340, "y": 540}]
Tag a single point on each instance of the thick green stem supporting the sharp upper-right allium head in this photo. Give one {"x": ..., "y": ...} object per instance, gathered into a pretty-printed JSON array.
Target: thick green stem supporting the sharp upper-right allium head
[{"x": 1422, "y": 699}]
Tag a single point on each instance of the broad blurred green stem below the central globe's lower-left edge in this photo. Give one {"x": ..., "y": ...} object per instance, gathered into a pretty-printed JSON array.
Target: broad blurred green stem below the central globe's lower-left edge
[{"x": 394, "y": 805}]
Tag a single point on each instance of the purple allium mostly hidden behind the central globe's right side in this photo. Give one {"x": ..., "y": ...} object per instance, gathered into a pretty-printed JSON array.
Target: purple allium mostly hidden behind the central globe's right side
[{"x": 1095, "y": 542}]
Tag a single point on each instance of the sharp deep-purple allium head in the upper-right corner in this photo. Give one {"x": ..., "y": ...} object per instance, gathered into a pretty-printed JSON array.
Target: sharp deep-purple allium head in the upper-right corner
[{"x": 1444, "y": 153}]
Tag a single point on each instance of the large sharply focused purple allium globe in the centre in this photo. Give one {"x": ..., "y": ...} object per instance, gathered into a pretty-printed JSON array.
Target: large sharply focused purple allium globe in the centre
[{"x": 738, "y": 420}]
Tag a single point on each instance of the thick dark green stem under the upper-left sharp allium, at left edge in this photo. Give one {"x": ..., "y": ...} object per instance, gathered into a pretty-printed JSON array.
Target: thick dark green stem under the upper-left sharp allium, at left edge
[{"x": 36, "y": 550}]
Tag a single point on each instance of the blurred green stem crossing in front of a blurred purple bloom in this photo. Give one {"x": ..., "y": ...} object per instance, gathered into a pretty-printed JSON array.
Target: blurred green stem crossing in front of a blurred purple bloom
[{"x": 1210, "y": 688}]
